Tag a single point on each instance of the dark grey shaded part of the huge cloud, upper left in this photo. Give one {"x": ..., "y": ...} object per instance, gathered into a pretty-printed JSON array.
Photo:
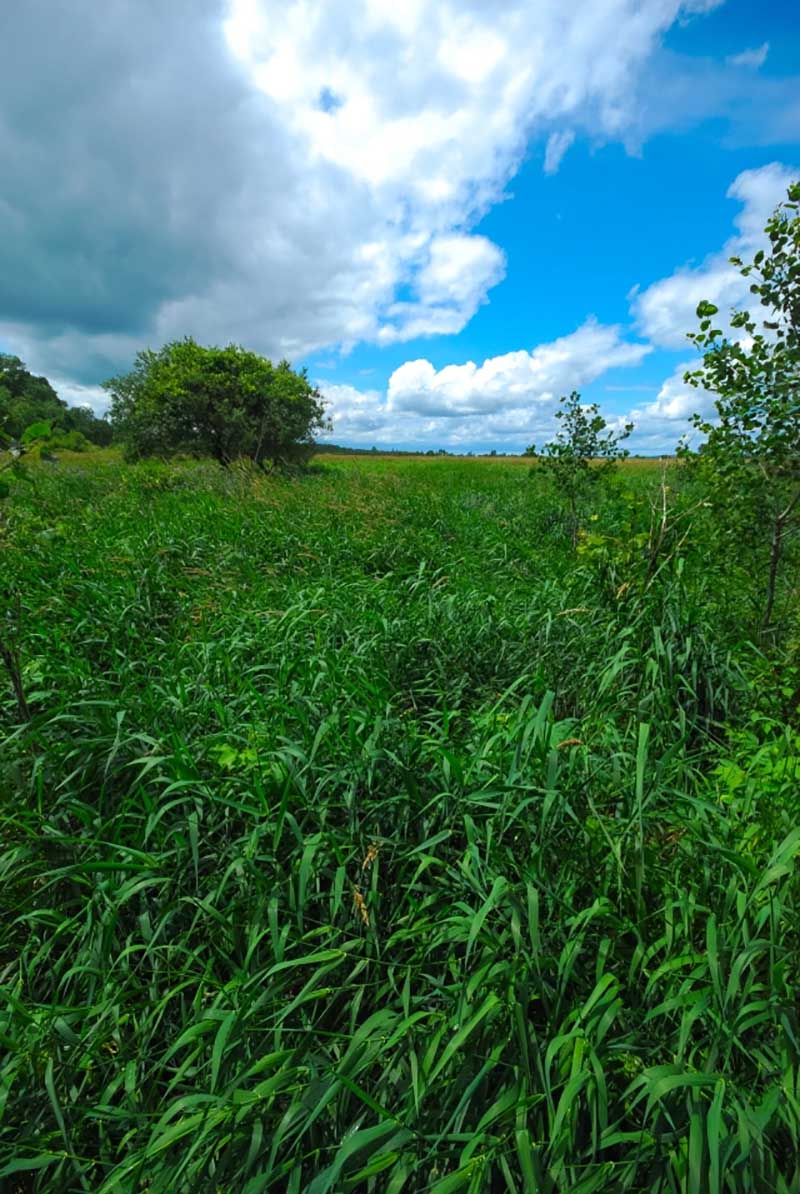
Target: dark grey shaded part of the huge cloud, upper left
[{"x": 115, "y": 128}]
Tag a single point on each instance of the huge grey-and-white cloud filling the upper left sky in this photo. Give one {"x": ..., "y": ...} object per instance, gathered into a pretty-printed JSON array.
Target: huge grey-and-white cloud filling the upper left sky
[{"x": 288, "y": 176}]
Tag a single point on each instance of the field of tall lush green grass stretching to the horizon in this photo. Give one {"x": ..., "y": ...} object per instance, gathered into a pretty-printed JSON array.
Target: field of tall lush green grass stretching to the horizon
[{"x": 366, "y": 838}]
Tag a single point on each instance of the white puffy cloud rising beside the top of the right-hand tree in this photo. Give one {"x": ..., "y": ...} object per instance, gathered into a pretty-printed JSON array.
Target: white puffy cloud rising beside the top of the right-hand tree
[{"x": 666, "y": 311}]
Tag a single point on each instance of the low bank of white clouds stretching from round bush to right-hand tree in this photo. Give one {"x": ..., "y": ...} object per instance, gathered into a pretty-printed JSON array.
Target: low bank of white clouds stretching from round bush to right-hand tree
[{"x": 512, "y": 399}]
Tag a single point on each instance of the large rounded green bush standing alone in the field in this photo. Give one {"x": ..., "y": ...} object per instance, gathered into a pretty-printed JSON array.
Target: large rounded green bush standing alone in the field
[{"x": 223, "y": 403}]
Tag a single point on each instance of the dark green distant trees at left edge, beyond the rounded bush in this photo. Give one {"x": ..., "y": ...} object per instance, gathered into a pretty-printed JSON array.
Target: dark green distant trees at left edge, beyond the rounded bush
[{"x": 26, "y": 399}]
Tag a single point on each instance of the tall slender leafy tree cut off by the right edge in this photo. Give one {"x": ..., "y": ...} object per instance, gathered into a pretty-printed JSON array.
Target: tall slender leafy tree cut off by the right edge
[{"x": 752, "y": 457}]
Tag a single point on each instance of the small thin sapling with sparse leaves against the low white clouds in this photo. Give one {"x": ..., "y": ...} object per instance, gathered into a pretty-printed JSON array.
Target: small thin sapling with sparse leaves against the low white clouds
[{"x": 582, "y": 453}]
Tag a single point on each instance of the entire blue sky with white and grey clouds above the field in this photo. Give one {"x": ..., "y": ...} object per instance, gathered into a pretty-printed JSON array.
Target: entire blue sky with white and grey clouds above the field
[{"x": 450, "y": 213}]
